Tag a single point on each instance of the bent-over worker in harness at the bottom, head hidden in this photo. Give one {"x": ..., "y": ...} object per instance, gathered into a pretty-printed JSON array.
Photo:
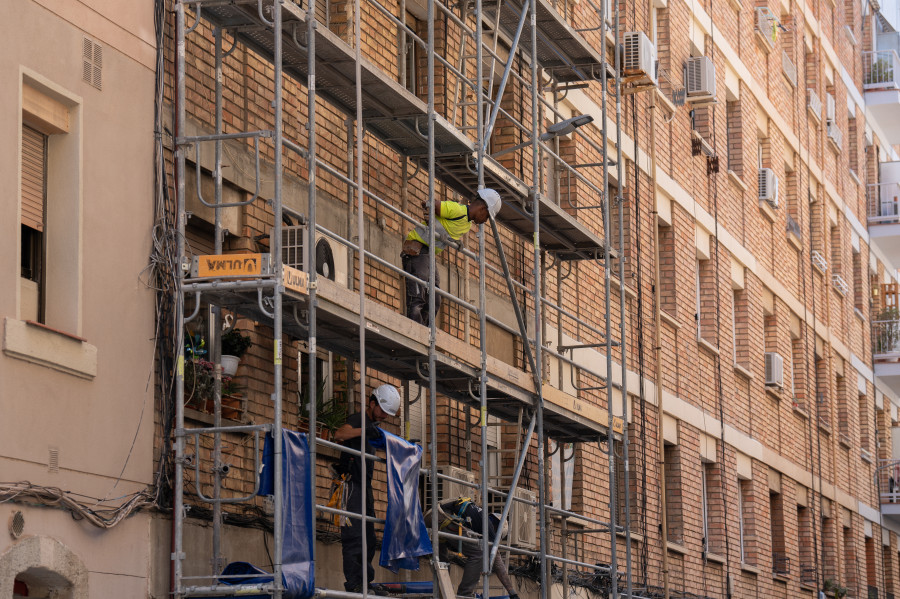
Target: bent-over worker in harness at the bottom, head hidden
[{"x": 463, "y": 517}]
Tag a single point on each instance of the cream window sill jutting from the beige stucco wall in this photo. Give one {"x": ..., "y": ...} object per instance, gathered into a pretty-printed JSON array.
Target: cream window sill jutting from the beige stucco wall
[{"x": 45, "y": 346}]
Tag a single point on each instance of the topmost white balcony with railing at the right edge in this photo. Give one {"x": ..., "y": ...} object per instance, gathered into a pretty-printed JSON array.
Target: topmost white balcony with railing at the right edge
[{"x": 881, "y": 82}]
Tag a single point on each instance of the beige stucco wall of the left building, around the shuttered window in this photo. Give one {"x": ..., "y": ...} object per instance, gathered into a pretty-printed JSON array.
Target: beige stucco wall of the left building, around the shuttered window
[{"x": 87, "y": 399}]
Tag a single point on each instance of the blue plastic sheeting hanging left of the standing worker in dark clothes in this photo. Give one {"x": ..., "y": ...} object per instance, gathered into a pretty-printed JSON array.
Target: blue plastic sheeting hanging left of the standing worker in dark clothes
[{"x": 298, "y": 569}]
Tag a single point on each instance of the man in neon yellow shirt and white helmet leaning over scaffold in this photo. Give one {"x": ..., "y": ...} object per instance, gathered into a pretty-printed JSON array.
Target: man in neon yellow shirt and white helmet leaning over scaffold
[{"x": 453, "y": 221}]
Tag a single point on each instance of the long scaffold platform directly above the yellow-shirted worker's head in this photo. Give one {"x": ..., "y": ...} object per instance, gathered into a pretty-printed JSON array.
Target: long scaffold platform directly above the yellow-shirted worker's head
[{"x": 399, "y": 118}]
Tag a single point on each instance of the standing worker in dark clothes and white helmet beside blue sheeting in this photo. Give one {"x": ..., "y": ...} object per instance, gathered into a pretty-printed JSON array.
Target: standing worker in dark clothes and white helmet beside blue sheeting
[{"x": 384, "y": 403}]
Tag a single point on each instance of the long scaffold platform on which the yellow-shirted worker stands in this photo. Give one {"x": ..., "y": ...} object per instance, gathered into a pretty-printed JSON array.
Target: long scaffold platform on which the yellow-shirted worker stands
[{"x": 398, "y": 346}]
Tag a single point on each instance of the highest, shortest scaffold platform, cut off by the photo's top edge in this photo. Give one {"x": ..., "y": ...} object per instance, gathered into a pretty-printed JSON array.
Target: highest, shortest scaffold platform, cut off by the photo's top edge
[{"x": 561, "y": 50}]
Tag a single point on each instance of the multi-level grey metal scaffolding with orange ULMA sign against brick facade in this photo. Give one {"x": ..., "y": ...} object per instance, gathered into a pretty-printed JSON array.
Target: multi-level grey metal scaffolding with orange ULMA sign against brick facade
[{"x": 539, "y": 53}]
